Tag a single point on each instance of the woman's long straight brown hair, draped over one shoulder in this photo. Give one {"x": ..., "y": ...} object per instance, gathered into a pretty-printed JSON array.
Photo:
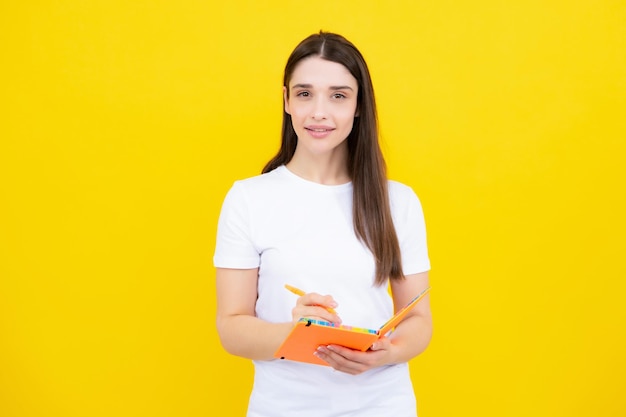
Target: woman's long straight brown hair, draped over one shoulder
[{"x": 366, "y": 166}]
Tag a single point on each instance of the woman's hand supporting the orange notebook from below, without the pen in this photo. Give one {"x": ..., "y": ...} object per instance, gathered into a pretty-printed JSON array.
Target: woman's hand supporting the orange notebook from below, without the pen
[{"x": 355, "y": 362}]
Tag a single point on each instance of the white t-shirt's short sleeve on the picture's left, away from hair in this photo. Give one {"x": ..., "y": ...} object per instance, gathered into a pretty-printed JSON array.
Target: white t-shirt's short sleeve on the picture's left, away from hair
[{"x": 234, "y": 247}]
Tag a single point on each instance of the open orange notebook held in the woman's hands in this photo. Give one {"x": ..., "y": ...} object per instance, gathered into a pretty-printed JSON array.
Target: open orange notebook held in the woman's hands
[{"x": 308, "y": 334}]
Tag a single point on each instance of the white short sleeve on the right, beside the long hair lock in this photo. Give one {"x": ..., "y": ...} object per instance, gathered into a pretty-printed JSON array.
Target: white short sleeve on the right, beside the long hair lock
[{"x": 408, "y": 218}]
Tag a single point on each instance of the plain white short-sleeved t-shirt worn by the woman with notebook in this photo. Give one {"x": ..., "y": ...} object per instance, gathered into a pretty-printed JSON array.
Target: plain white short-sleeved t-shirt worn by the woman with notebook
[{"x": 301, "y": 233}]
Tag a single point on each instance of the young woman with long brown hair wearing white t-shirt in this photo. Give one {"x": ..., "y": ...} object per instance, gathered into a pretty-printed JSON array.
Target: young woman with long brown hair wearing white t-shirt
[{"x": 323, "y": 217}]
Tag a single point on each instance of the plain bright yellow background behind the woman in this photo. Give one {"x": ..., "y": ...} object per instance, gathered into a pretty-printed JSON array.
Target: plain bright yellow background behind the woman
[{"x": 123, "y": 124}]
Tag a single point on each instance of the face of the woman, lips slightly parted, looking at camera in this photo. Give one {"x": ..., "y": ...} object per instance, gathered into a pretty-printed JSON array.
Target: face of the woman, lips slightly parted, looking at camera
[{"x": 322, "y": 99}]
